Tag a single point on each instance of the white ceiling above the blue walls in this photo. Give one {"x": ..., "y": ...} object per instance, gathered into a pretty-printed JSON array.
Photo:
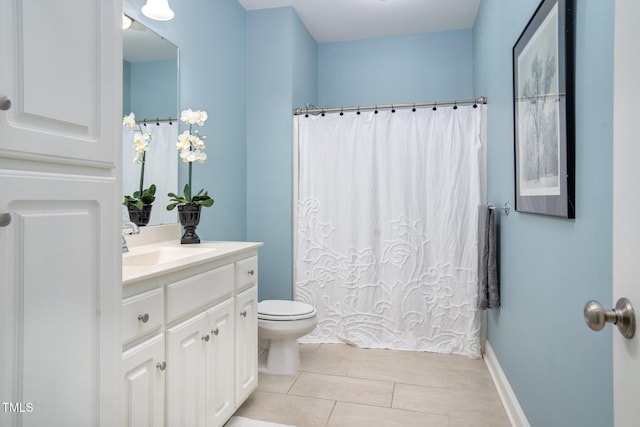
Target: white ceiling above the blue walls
[{"x": 342, "y": 20}]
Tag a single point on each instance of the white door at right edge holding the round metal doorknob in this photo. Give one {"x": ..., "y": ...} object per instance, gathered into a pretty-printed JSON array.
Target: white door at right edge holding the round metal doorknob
[{"x": 626, "y": 207}]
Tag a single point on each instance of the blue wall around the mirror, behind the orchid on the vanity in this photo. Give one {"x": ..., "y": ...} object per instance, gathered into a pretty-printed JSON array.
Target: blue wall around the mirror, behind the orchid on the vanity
[{"x": 212, "y": 37}]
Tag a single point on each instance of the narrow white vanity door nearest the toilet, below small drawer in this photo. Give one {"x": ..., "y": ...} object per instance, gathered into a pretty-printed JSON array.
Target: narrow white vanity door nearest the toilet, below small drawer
[{"x": 246, "y": 343}]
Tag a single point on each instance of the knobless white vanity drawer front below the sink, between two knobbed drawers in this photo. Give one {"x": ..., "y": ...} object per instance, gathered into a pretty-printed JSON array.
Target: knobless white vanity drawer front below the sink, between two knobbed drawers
[{"x": 198, "y": 291}]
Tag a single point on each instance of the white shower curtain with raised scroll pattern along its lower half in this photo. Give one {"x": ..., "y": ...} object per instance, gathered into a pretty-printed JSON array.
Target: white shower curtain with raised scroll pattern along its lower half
[{"x": 386, "y": 231}]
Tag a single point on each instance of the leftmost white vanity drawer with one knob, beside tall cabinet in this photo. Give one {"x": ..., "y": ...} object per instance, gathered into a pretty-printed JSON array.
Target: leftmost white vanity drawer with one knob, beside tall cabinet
[{"x": 142, "y": 313}]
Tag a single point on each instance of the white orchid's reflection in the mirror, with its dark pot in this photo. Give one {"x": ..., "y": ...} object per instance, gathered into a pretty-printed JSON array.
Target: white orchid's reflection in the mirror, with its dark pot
[{"x": 140, "y": 202}]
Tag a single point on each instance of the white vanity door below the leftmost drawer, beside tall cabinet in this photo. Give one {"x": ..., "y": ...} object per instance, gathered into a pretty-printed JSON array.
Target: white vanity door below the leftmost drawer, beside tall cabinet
[{"x": 144, "y": 367}]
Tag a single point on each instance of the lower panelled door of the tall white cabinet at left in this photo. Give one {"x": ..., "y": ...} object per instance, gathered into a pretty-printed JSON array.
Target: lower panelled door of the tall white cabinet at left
[{"x": 60, "y": 296}]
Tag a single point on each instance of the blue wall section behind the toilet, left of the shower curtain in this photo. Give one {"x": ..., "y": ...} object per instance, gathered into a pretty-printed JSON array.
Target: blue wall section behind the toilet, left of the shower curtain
[{"x": 282, "y": 60}]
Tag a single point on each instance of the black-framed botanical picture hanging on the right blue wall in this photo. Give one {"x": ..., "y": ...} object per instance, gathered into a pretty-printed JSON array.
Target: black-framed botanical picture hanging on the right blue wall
[{"x": 544, "y": 111}]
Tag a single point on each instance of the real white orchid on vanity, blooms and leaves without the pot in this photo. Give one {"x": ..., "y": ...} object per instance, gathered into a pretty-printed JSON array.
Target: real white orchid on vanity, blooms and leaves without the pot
[{"x": 191, "y": 146}]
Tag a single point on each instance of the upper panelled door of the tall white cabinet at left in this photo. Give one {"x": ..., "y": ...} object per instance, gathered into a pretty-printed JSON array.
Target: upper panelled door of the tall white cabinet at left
[{"x": 61, "y": 69}]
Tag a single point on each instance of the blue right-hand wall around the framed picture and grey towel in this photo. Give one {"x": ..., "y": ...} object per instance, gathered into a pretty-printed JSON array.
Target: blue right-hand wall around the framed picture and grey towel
[{"x": 560, "y": 370}]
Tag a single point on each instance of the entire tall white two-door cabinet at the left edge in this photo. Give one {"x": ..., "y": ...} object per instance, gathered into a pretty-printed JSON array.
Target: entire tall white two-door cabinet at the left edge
[{"x": 60, "y": 279}]
